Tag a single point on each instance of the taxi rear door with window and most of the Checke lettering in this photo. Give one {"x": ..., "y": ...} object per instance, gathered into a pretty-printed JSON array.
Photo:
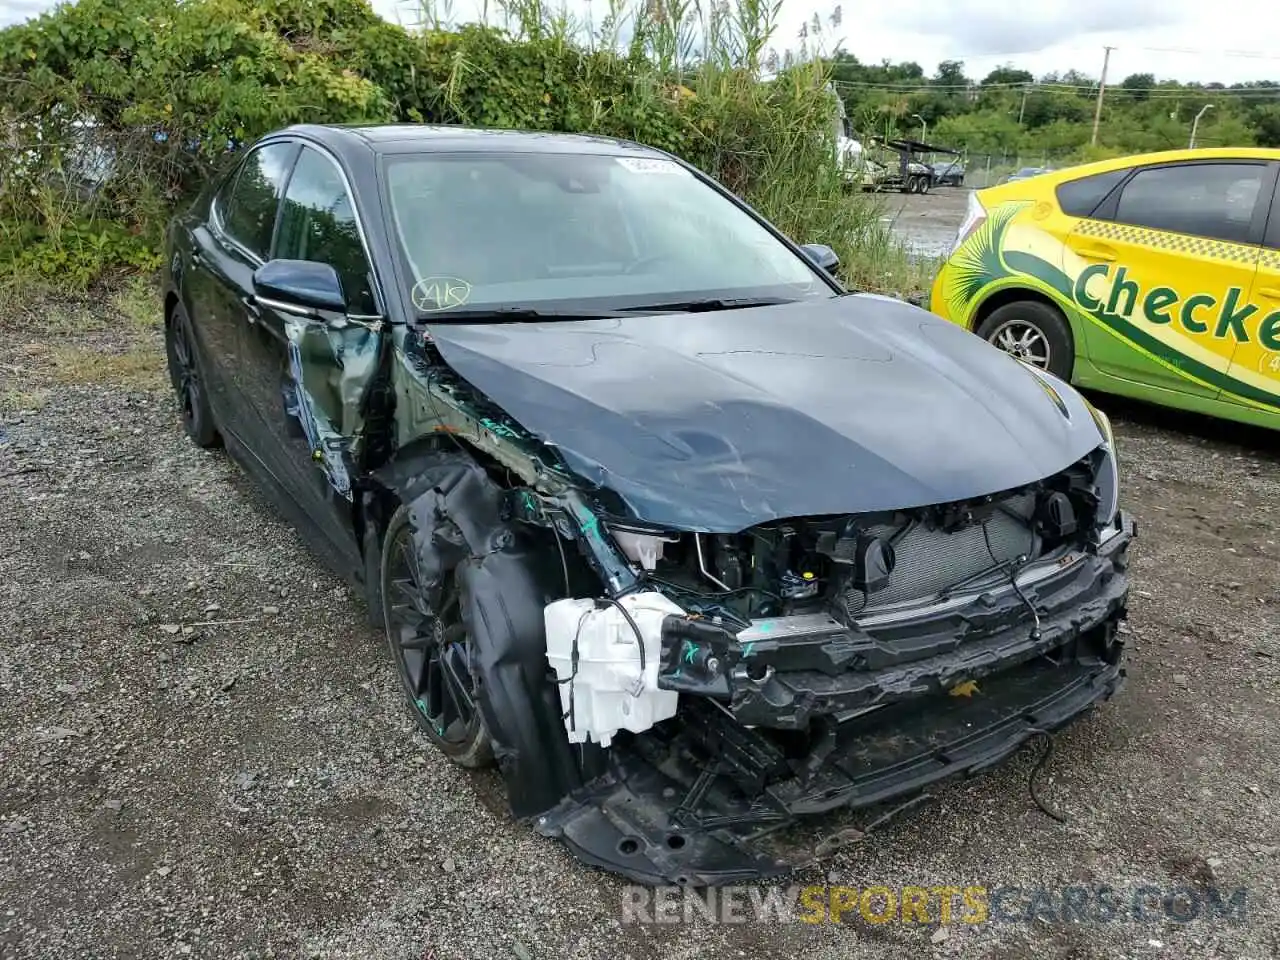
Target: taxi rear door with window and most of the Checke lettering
[{"x": 1165, "y": 271}]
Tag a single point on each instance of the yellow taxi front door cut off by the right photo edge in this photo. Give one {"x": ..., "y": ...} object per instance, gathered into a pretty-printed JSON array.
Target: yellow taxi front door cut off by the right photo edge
[{"x": 1256, "y": 365}]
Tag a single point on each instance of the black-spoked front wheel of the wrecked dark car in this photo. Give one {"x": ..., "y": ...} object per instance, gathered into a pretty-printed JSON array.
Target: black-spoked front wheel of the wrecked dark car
[{"x": 431, "y": 648}]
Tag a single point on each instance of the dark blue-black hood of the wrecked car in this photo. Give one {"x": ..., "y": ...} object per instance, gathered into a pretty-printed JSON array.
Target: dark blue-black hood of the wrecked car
[{"x": 724, "y": 420}]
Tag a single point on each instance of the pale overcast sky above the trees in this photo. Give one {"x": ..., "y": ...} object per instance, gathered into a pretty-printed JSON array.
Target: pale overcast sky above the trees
[{"x": 1190, "y": 40}]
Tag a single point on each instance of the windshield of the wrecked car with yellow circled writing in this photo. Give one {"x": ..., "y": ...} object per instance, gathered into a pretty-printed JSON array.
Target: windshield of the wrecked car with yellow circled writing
[{"x": 579, "y": 232}]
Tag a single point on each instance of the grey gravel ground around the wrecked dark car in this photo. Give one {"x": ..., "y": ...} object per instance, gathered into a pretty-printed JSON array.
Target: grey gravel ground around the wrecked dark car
[{"x": 204, "y": 752}]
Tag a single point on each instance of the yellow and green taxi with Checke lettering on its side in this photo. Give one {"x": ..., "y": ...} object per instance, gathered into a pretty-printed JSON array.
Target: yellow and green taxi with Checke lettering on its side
[{"x": 1155, "y": 277}]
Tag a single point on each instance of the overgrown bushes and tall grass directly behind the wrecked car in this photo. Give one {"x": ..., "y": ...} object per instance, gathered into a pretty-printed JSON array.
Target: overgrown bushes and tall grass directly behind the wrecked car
[{"x": 116, "y": 111}]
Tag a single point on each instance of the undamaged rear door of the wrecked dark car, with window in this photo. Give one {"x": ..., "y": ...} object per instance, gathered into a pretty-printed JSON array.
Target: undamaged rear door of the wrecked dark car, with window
[{"x": 227, "y": 249}]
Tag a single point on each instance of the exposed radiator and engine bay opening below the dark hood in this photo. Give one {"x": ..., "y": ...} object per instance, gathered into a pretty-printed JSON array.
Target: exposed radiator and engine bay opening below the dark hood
[{"x": 849, "y": 566}]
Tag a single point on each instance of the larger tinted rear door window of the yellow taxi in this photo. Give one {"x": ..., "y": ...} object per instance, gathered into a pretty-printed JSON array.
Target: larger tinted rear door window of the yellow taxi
[{"x": 1203, "y": 200}]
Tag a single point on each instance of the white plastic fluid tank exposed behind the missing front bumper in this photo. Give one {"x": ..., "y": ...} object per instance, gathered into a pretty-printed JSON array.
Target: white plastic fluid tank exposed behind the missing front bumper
[{"x": 606, "y": 657}]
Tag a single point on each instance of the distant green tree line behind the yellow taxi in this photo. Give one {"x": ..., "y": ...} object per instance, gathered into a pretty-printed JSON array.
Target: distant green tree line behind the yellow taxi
[{"x": 1012, "y": 113}]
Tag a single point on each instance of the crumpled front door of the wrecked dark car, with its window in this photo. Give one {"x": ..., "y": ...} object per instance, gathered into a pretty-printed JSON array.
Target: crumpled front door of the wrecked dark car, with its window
[{"x": 307, "y": 377}]
